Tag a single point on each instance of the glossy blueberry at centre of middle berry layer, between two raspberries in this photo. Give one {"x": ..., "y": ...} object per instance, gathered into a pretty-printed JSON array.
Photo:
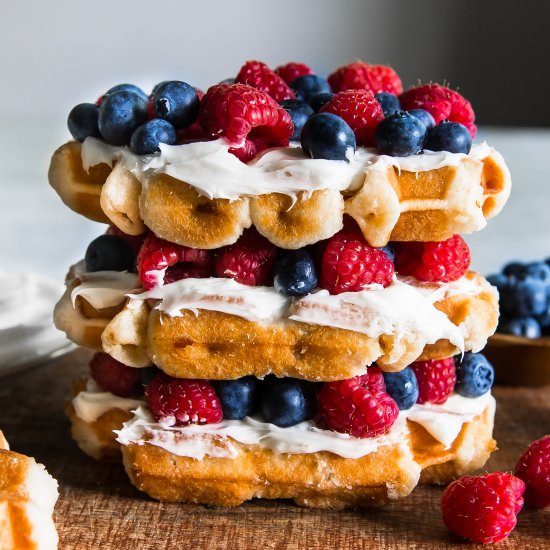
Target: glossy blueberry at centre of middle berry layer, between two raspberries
[{"x": 295, "y": 273}]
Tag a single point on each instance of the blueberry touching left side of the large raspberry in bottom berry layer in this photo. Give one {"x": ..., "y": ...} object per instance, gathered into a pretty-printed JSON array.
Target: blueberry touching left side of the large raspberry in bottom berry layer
[{"x": 287, "y": 402}]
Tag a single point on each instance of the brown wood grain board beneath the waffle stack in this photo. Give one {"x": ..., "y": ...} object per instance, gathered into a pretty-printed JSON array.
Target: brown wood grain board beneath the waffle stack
[{"x": 98, "y": 508}]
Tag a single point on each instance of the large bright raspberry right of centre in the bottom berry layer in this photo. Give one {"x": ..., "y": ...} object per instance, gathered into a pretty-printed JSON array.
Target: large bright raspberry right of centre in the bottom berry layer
[{"x": 359, "y": 406}]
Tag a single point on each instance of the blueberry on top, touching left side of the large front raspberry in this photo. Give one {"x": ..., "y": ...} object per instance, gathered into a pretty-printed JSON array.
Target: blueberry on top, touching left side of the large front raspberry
[{"x": 177, "y": 102}]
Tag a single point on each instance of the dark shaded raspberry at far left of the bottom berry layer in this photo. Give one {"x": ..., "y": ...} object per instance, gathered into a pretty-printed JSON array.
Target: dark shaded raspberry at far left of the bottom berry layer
[{"x": 113, "y": 376}]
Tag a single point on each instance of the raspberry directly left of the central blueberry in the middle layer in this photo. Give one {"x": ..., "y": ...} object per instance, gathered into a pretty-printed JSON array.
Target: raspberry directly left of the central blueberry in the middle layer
[{"x": 250, "y": 261}]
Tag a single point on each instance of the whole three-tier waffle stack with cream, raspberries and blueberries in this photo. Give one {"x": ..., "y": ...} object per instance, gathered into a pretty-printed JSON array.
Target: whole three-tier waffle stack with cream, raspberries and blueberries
[{"x": 277, "y": 313}]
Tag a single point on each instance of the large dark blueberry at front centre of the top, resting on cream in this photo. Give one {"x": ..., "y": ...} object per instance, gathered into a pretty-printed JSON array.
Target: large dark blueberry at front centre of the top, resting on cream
[{"x": 327, "y": 136}]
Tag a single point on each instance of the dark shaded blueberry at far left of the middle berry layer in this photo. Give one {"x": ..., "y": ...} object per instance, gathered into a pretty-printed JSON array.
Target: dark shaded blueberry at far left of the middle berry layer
[{"x": 110, "y": 253}]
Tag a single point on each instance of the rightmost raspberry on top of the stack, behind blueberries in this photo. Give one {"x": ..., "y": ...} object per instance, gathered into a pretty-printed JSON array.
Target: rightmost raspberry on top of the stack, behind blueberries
[{"x": 442, "y": 103}]
